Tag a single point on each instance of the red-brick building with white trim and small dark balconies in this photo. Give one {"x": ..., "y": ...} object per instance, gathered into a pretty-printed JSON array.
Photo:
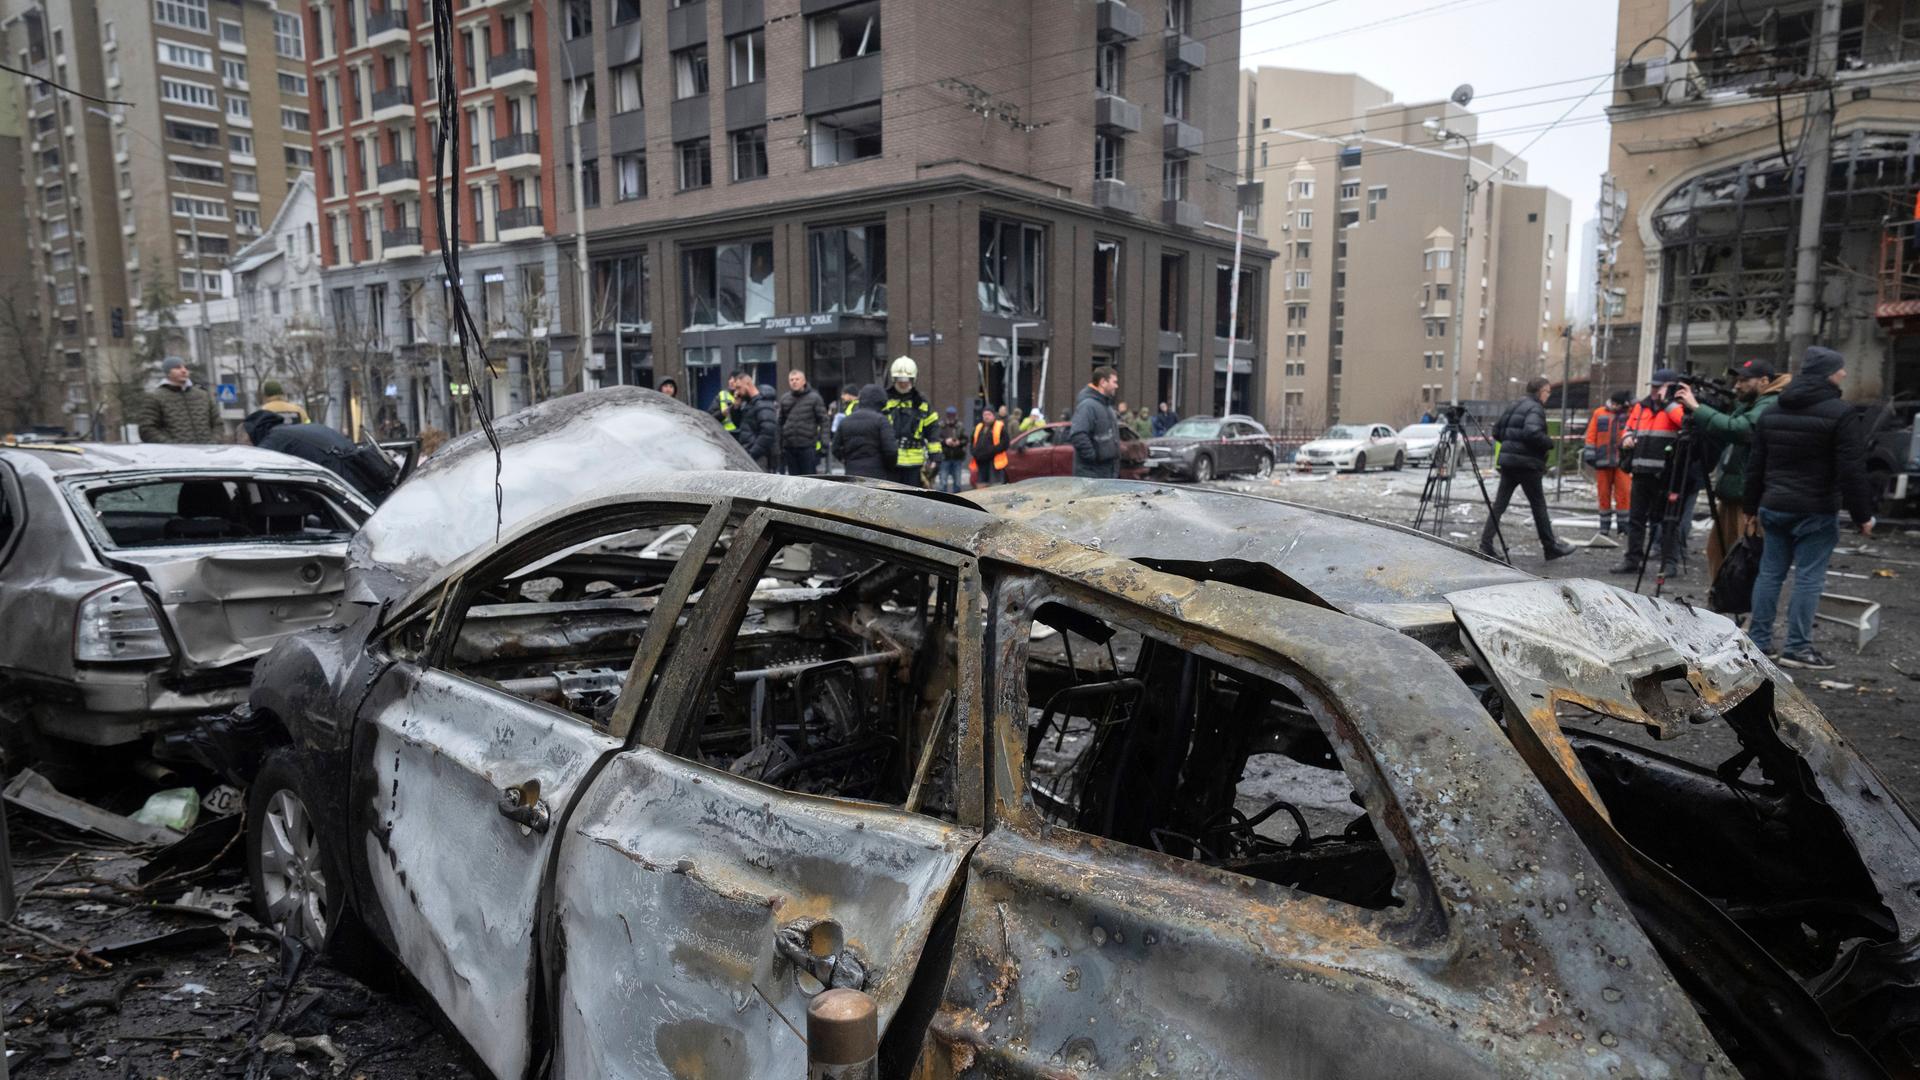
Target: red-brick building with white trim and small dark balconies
[{"x": 377, "y": 126}]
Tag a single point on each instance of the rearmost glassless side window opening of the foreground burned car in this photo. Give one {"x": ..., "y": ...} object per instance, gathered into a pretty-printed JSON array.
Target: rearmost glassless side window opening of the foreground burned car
[{"x": 1138, "y": 741}]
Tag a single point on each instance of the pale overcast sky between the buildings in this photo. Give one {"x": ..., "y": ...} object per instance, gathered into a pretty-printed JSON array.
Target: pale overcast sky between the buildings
[{"x": 1497, "y": 45}]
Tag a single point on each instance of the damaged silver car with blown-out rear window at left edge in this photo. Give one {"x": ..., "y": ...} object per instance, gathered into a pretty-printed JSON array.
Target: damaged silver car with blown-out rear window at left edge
[{"x": 139, "y": 583}]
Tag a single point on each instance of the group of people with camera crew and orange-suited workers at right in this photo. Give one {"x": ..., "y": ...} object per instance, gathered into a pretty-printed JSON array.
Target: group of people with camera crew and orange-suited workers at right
[{"x": 1781, "y": 462}]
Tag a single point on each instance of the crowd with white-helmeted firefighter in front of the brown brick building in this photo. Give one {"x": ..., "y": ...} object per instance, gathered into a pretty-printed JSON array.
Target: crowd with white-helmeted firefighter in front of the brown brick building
[{"x": 894, "y": 433}]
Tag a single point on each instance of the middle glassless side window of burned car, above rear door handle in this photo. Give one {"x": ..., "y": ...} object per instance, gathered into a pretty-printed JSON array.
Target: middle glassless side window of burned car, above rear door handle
[{"x": 842, "y": 679}]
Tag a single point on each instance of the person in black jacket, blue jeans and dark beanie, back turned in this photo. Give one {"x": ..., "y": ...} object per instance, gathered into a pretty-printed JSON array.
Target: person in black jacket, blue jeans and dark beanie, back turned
[{"x": 1808, "y": 460}]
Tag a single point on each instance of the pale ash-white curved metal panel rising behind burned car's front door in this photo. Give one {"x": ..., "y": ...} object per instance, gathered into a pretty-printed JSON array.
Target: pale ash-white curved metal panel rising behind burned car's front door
[{"x": 550, "y": 456}]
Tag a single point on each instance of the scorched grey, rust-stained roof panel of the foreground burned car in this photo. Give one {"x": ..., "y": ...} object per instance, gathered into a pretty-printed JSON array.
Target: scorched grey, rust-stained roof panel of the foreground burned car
[{"x": 1374, "y": 570}]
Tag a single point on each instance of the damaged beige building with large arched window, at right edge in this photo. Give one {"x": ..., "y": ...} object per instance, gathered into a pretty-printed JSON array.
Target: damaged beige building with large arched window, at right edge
[{"x": 1706, "y": 147}]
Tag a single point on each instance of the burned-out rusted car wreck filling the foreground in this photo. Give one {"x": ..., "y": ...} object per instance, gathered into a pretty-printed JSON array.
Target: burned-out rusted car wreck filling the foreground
[{"x": 1076, "y": 777}]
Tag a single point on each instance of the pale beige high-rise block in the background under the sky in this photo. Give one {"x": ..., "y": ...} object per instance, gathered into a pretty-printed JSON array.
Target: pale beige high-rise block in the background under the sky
[{"x": 1364, "y": 207}]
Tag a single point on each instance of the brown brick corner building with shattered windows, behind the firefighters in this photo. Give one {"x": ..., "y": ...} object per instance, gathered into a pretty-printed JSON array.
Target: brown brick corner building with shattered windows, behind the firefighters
[{"x": 1007, "y": 193}]
